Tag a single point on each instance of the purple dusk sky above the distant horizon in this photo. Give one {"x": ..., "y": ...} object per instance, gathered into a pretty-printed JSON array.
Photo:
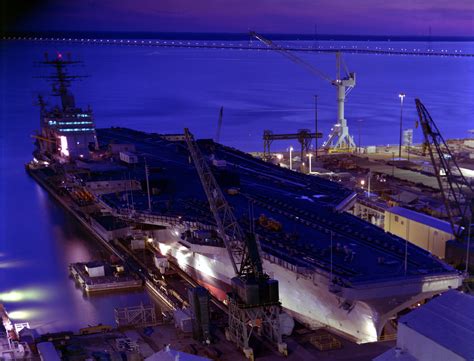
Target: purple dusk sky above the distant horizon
[{"x": 373, "y": 17}]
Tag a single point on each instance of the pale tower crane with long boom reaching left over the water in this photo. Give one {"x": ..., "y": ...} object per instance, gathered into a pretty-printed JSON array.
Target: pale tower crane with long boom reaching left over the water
[{"x": 339, "y": 137}]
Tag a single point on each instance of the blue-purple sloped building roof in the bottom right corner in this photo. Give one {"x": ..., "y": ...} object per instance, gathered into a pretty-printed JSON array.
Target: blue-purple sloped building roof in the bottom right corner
[{"x": 447, "y": 320}]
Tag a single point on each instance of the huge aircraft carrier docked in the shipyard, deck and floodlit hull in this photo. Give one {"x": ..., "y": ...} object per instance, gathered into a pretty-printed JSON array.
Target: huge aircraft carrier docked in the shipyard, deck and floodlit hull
[{"x": 334, "y": 270}]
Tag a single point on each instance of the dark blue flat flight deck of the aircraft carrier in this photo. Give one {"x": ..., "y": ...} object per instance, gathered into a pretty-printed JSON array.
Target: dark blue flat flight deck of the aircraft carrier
[{"x": 305, "y": 206}]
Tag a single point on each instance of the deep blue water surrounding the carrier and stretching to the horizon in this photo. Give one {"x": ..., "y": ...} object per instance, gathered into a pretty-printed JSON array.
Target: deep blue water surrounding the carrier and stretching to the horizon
[{"x": 164, "y": 90}]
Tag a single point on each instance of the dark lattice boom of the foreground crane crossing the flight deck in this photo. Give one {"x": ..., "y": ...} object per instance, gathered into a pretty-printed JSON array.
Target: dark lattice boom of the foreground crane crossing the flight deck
[{"x": 242, "y": 249}]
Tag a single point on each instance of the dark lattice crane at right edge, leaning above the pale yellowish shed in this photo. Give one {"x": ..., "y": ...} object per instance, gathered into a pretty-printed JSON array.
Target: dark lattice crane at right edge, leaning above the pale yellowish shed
[{"x": 456, "y": 191}]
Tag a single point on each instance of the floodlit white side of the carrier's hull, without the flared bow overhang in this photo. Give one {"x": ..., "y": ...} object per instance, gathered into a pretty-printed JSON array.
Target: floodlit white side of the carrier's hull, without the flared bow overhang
[{"x": 306, "y": 301}]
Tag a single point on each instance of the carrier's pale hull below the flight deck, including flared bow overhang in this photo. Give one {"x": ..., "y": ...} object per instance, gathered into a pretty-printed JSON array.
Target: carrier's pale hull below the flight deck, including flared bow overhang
[{"x": 357, "y": 314}]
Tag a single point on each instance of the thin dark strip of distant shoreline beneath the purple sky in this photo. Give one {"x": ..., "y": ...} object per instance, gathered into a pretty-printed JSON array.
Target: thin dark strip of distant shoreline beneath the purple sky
[{"x": 235, "y": 36}]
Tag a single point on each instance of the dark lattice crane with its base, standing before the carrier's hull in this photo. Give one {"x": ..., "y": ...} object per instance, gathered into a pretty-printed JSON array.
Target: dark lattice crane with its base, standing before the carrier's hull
[{"x": 254, "y": 300}]
